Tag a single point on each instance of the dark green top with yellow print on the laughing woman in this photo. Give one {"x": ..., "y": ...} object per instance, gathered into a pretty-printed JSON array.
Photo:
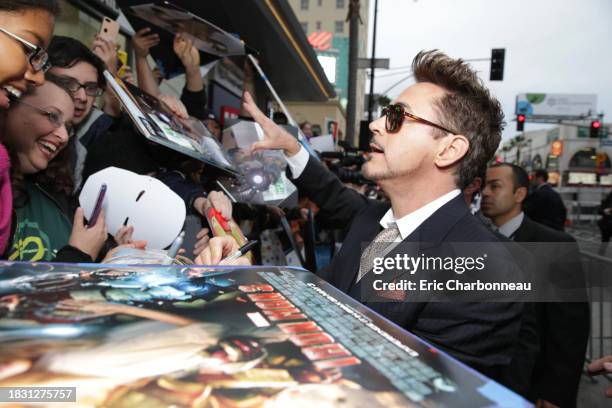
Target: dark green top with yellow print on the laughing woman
[{"x": 42, "y": 228}]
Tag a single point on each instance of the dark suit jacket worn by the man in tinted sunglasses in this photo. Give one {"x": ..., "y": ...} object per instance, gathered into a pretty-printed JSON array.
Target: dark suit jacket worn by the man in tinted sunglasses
[{"x": 482, "y": 335}]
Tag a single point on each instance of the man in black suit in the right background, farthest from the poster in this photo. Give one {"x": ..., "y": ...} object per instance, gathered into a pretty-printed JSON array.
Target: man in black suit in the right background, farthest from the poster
[{"x": 544, "y": 205}]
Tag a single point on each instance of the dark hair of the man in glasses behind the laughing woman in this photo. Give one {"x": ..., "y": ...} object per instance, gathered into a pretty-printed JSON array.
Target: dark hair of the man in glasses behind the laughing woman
[{"x": 66, "y": 52}]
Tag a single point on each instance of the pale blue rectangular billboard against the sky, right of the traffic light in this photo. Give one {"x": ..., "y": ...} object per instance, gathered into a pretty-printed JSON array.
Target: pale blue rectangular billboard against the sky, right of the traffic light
[{"x": 540, "y": 105}]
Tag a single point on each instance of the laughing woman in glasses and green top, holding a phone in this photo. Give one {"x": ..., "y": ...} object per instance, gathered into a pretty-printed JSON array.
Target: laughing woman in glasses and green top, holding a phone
[{"x": 36, "y": 136}]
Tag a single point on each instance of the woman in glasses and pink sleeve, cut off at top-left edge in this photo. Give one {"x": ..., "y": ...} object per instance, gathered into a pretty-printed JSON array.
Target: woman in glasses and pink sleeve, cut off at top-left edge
[{"x": 26, "y": 27}]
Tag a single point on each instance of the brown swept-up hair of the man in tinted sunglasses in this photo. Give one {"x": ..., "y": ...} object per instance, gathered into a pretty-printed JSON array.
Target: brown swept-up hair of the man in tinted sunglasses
[{"x": 468, "y": 108}]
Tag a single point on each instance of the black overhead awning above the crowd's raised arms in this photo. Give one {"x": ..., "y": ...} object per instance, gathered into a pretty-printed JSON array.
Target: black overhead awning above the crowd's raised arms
[{"x": 271, "y": 28}]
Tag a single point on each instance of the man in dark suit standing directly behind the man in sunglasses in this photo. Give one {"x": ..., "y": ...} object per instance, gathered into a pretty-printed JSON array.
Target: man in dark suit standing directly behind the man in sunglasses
[{"x": 552, "y": 358}]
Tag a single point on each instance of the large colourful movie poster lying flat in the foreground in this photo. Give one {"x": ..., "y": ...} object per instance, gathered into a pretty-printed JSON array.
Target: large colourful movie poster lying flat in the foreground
[{"x": 185, "y": 336}]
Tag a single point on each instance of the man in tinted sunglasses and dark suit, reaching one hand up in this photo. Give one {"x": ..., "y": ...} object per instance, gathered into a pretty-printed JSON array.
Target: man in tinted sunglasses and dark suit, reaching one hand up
[{"x": 428, "y": 145}]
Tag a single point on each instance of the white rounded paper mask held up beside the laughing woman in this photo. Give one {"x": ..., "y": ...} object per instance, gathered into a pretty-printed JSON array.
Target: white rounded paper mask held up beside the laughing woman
[{"x": 156, "y": 212}]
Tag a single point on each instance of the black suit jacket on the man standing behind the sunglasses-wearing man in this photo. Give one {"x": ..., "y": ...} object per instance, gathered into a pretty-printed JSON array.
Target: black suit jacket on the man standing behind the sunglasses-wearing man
[{"x": 563, "y": 327}]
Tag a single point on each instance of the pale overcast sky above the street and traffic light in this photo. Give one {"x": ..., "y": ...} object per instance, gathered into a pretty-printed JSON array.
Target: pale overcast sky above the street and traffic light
[{"x": 552, "y": 46}]
